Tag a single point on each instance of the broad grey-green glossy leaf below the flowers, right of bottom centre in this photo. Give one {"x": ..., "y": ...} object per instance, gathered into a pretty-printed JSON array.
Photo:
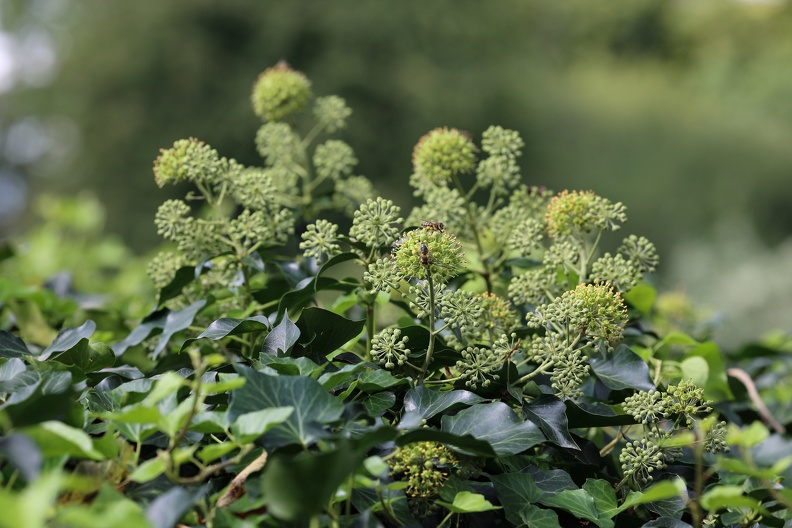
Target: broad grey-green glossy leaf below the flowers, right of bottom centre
[{"x": 497, "y": 424}]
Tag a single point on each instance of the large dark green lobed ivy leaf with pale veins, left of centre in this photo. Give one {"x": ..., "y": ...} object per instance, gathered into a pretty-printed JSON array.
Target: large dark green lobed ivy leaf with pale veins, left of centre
[{"x": 313, "y": 406}]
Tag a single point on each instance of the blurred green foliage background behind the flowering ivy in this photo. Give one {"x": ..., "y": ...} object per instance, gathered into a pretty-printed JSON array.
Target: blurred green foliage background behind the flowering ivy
[{"x": 680, "y": 109}]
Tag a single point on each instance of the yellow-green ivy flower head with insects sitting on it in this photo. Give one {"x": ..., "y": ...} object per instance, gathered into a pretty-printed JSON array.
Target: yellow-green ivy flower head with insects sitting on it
[{"x": 423, "y": 251}]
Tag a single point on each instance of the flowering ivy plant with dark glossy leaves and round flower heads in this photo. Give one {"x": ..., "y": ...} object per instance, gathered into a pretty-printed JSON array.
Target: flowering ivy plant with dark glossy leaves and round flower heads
[{"x": 480, "y": 360}]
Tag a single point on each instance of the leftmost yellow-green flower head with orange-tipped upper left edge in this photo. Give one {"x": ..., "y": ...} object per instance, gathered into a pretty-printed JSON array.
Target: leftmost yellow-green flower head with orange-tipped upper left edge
[{"x": 189, "y": 160}]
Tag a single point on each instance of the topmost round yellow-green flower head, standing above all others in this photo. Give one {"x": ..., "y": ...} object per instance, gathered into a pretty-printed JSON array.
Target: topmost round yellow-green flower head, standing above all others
[{"x": 280, "y": 92}]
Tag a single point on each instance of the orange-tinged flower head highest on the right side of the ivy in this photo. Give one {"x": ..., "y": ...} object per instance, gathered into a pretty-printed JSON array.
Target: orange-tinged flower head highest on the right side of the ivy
[{"x": 576, "y": 213}]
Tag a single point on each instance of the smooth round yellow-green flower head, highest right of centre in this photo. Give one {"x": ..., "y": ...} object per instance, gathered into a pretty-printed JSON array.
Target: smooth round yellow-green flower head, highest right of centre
[{"x": 443, "y": 153}]
